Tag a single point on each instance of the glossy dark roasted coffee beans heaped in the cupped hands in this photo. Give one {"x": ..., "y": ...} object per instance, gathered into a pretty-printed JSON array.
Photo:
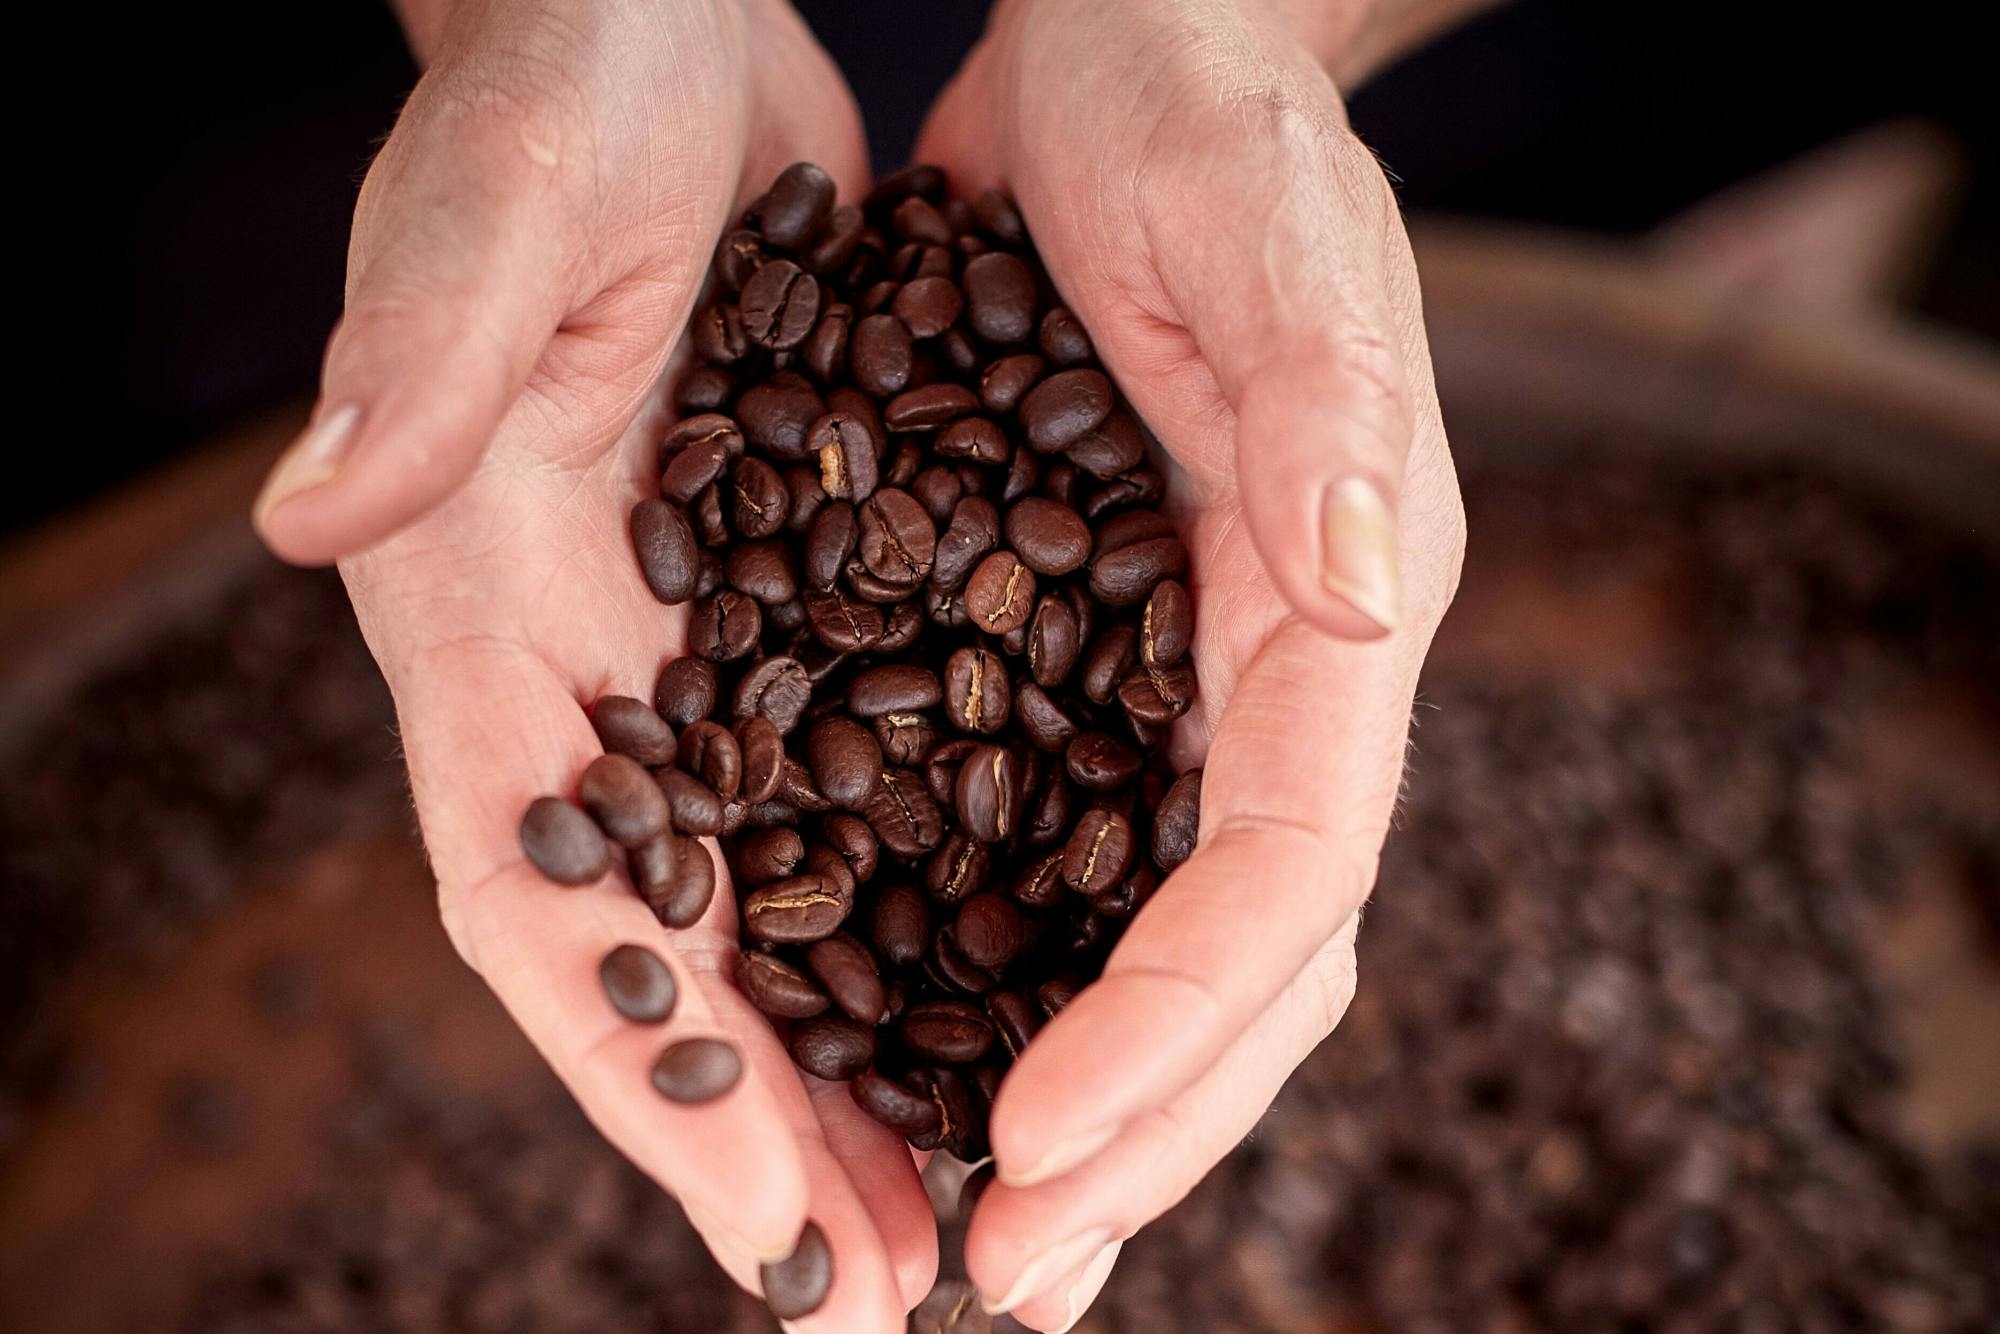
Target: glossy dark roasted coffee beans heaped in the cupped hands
[{"x": 939, "y": 637}]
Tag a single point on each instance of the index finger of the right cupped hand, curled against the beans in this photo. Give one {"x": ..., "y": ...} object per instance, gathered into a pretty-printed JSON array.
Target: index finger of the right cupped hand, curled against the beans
[{"x": 1279, "y": 867}]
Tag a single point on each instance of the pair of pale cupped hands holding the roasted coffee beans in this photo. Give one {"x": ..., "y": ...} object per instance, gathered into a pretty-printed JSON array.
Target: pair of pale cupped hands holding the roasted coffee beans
[{"x": 525, "y": 253}]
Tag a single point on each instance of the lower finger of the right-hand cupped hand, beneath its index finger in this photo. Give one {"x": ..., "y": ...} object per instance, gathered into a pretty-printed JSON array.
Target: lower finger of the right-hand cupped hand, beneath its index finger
[{"x": 1159, "y": 1159}]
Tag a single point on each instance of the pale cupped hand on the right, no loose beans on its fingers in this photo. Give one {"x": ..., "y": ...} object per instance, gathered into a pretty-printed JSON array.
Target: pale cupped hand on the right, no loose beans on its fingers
[{"x": 1235, "y": 251}]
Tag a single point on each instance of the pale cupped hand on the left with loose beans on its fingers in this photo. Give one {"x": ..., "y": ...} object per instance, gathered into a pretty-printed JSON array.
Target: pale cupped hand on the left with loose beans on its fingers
[{"x": 527, "y": 249}]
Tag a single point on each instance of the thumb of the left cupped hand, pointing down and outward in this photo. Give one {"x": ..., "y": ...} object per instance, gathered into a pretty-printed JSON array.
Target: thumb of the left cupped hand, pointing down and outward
[{"x": 459, "y": 273}]
